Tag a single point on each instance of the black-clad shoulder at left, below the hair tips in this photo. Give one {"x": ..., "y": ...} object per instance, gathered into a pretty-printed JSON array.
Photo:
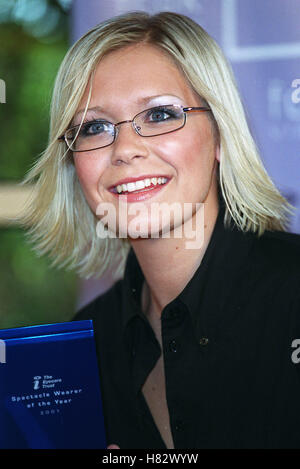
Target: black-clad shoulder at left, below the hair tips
[{"x": 98, "y": 309}]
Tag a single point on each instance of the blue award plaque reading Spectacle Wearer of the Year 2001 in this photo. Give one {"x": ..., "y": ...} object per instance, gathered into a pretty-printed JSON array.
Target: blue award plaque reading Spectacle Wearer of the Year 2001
[{"x": 49, "y": 388}]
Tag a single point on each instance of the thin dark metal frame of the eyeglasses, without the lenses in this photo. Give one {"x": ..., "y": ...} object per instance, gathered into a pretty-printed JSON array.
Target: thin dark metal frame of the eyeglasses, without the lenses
[{"x": 135, "y": 128}]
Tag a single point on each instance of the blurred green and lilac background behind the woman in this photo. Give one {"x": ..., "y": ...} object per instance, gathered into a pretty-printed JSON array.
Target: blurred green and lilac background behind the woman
[{"x": 262, "y": 42}]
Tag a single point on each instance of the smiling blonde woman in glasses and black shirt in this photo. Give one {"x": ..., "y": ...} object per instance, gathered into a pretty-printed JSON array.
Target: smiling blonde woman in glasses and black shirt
[{"x": 196, "y": 341}]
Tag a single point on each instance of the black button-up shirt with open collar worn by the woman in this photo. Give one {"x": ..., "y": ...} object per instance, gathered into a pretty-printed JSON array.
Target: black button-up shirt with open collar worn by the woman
[{"x": 227, "y": 339}]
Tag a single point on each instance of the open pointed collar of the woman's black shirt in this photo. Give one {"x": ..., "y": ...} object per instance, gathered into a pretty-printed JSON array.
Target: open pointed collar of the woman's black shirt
[{"x": 226, "y": 252}]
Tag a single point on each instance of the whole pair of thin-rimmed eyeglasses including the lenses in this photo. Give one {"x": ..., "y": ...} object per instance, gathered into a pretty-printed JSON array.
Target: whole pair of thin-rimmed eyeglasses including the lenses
[{"x": 100, "y": 133}]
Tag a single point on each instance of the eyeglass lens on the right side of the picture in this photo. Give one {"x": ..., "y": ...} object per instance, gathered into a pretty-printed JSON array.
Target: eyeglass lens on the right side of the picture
[{"x": 159, "y": 120}]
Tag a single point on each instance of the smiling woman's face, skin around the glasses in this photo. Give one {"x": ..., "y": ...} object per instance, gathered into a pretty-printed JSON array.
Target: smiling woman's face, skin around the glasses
[{"x": 126, "y": 82}]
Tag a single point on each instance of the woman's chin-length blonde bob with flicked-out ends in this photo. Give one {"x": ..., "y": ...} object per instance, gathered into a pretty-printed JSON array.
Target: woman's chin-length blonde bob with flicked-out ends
[{"x": 58, "y": 218}]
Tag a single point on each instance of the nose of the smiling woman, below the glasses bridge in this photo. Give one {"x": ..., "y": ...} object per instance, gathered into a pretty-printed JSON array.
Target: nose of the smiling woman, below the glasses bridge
[{"x": 128, "y": 145}]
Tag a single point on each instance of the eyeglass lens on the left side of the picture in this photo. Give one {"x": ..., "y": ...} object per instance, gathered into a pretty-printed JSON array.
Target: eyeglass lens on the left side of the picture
[{"x": 90, "y": 136}]
